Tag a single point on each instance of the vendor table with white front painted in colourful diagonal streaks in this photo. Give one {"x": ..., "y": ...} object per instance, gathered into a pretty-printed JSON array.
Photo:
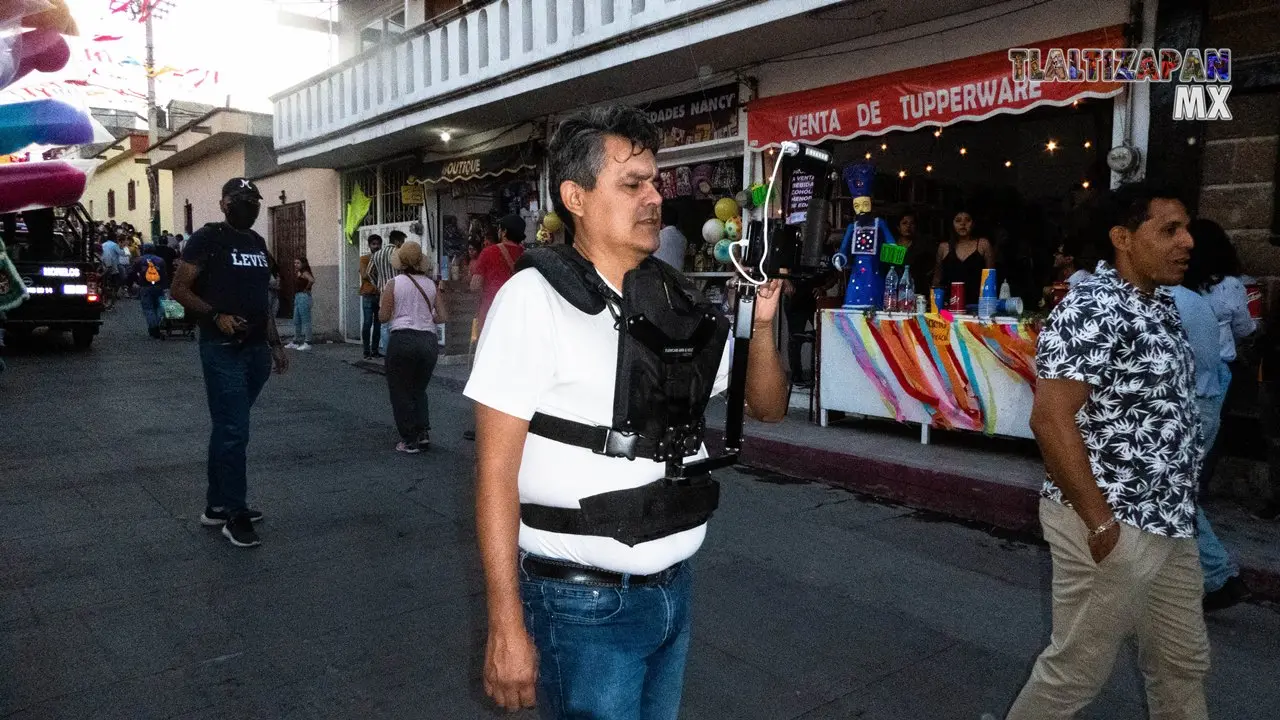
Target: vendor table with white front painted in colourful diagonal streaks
[{"x": 941, "y": 371}]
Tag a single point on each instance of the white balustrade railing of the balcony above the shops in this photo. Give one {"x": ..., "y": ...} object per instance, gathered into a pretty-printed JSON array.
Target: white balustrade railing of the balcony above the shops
[{"x": 478, "y": 48}]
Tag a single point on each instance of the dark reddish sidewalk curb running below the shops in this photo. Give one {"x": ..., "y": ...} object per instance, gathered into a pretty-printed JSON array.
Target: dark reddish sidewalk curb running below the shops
[{"x": 999, "y": 505}]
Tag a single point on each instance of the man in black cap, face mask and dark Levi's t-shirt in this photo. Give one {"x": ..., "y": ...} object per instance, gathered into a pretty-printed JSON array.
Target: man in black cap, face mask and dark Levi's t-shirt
[{"x": 223, "y": 280}]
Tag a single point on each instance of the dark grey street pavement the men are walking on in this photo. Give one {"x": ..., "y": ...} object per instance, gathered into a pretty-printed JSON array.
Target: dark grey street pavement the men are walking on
[{"x": 365, "y": 599}]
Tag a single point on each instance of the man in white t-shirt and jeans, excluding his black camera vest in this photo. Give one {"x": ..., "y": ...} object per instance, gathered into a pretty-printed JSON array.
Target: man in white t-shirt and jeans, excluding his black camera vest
[{"x": 610, "y": 621}]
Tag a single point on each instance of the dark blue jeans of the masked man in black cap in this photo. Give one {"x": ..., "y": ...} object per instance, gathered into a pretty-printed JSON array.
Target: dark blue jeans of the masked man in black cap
[{"x": 235, "y": 376}]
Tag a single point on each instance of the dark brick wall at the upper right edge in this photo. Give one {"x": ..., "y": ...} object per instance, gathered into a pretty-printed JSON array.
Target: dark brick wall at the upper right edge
[{"x": 1240, "y": 165}]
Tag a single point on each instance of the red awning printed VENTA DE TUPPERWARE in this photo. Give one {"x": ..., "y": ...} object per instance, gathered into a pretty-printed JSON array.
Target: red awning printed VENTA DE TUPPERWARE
[{"x": 973, "y": 89}]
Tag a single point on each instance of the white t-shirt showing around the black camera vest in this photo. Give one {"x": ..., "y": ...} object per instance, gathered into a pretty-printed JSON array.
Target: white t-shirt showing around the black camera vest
[{"x": 541, "y": 354}]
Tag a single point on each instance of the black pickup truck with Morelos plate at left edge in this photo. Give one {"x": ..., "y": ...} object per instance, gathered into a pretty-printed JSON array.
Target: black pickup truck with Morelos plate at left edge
[{"x": 53, "y": 250}]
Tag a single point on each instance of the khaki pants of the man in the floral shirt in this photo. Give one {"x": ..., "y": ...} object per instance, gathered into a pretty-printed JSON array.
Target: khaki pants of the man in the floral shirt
[{"x": 1150, "y": 586}]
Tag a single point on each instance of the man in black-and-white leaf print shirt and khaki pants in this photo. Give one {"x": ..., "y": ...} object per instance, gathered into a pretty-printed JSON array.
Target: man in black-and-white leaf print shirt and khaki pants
[{"x": 1117, "y": 421}]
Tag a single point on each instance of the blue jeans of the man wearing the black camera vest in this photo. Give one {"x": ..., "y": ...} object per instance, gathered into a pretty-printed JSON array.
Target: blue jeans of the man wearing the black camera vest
[{"x": 609, "y": 654}]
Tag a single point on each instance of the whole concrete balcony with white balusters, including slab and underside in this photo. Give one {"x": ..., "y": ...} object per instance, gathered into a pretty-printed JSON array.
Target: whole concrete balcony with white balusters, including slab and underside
[{"x": 519, "y": 60}]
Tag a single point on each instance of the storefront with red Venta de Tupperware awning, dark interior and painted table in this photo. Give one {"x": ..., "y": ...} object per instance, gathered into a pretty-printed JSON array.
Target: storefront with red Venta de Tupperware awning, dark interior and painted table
[{"x": 966, "y": 135}]
